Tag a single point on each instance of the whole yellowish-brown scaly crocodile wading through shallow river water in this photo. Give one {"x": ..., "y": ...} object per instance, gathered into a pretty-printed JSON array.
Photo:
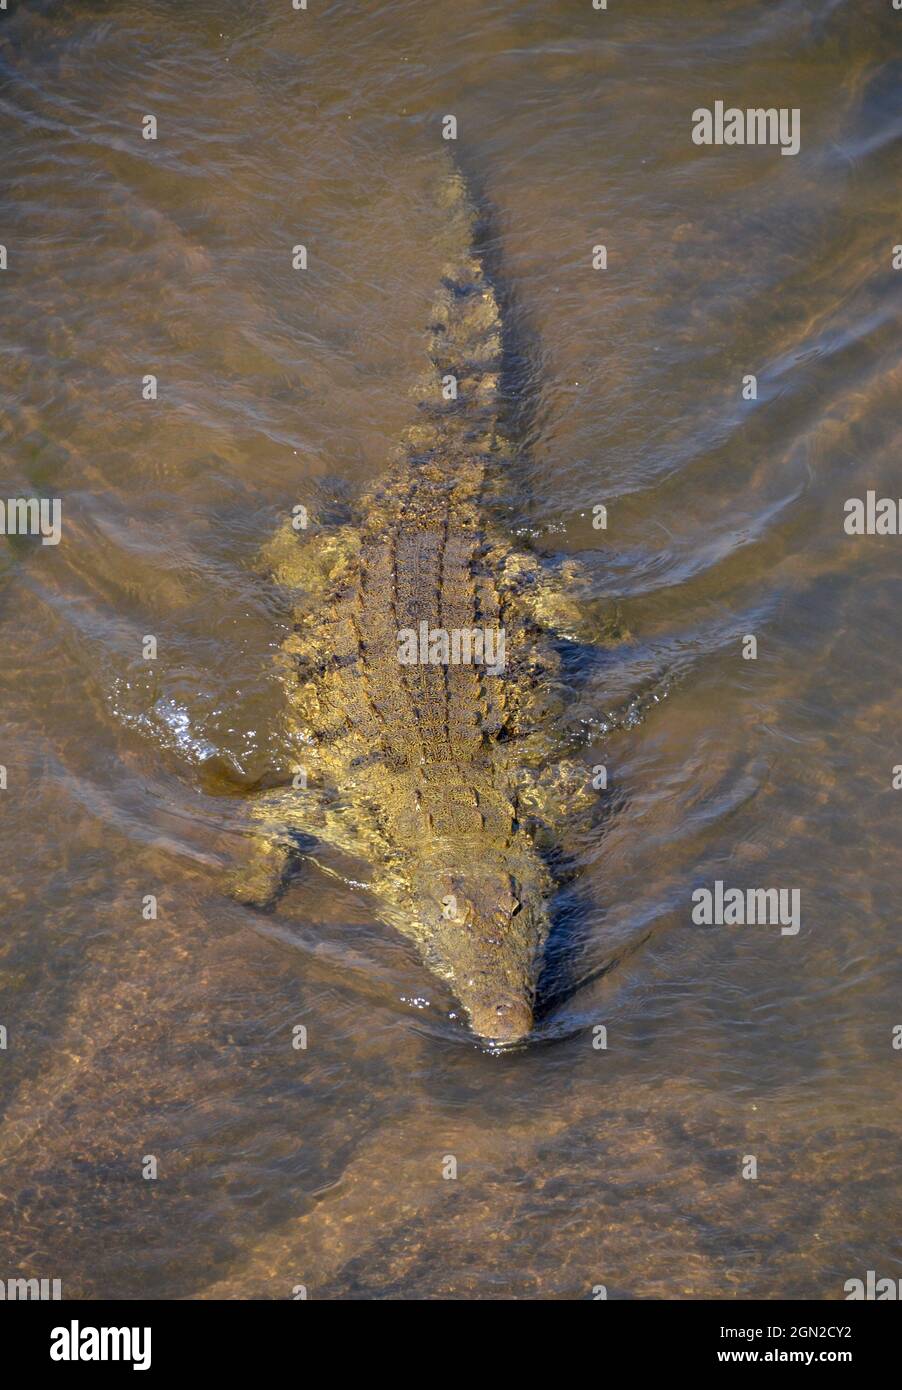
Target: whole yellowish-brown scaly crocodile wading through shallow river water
[{"x": 441, "y": 774}]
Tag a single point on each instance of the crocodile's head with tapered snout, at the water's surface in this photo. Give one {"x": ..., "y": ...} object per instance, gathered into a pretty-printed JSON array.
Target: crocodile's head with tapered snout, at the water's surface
[{"x": 484, "y": 932}]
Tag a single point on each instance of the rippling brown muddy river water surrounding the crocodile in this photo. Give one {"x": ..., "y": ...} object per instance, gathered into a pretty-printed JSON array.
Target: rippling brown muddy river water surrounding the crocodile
[{"x": 577, "y": 1166}]
